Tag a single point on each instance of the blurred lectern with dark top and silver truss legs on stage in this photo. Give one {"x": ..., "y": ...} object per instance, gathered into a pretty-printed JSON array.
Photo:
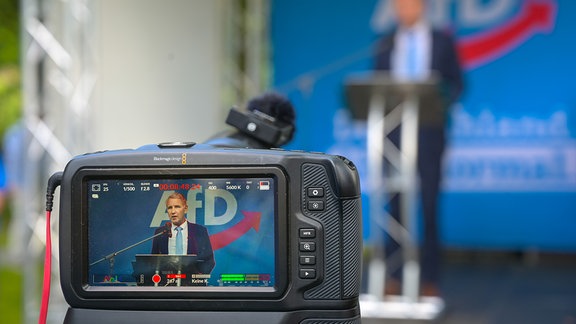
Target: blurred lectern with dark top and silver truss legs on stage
[{"x": 386, "y": 104}]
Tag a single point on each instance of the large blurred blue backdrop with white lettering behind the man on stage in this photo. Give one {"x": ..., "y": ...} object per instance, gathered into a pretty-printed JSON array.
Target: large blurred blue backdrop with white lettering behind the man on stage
[{"x": 510, "y": 179}]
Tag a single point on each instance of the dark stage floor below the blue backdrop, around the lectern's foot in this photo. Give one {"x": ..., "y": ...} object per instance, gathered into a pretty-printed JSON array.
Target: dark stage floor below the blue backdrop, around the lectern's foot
[{"x": 493, "y": 288}]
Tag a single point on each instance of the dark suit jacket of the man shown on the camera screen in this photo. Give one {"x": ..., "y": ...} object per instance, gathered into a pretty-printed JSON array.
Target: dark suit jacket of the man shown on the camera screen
[{"x": 198, "y": 243}]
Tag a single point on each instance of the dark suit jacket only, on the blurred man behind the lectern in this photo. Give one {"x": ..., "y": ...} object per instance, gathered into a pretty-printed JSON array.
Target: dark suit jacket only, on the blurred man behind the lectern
[{"x": 444, "y": 60}]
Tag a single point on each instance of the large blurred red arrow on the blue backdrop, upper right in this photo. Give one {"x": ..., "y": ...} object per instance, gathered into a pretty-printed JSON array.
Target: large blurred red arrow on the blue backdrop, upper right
[{"x": 535, "y": 16}]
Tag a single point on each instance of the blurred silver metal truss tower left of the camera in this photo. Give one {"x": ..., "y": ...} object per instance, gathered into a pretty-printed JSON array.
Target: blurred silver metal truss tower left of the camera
[{"x": 57, "y": 64}]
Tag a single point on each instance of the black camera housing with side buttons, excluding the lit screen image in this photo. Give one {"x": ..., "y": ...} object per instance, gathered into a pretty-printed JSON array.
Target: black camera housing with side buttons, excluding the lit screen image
[{"x": 331, "y": 296}]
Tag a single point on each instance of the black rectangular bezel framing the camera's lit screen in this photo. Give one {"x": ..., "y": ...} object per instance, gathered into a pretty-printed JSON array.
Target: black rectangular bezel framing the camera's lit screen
[{"x": 79, "y": 232}]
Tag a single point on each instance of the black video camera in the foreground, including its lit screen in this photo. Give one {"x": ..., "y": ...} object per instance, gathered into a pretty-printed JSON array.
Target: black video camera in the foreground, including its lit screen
[{"x": 283, "y": 241}]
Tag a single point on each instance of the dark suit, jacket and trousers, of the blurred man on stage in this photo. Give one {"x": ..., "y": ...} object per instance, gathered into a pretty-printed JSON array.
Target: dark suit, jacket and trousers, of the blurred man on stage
[{"x": 444, "y": 62}]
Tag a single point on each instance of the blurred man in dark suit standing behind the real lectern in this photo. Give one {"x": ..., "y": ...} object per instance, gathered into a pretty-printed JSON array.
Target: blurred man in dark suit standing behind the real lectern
[{"x": 412, "y": 52}]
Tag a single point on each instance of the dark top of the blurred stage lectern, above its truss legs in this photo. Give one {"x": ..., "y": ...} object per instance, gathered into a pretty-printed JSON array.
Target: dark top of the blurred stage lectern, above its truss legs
[{"x": 361, "y": 89}]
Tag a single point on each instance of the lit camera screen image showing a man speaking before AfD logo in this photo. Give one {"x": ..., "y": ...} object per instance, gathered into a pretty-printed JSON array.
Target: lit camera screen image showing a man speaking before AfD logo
[{"x": 201, "y": 231}]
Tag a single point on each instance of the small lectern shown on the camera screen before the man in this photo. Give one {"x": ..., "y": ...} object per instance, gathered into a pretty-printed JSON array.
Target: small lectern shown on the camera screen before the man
[{"x": 162, "y": 270}]
